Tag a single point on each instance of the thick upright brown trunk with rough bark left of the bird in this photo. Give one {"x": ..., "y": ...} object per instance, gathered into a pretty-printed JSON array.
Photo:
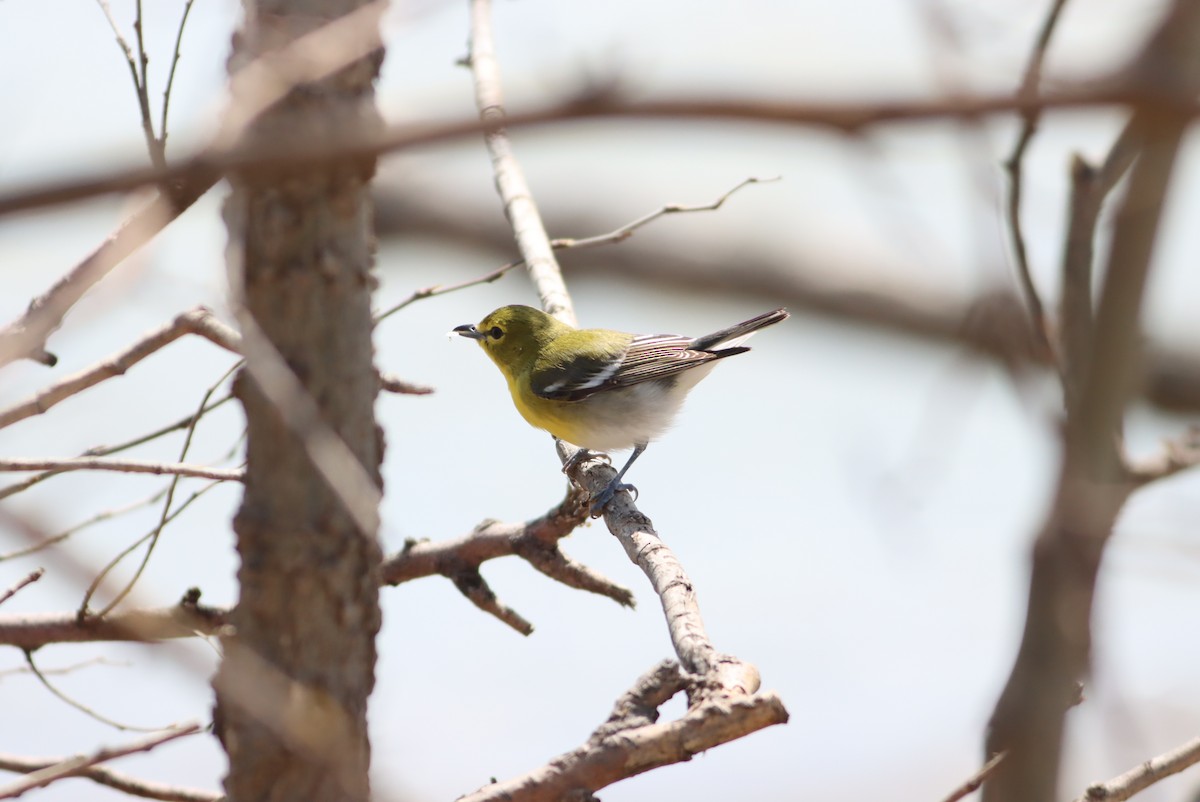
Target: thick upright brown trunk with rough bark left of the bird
[{"x": 299, "y": 667}]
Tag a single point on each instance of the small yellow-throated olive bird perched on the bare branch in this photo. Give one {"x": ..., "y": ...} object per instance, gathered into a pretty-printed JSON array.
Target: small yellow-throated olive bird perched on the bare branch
[{"x": 597, "y": 388}]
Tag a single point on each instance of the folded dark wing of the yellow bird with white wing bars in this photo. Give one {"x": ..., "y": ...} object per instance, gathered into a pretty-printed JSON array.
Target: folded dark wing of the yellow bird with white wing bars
[{"x": 645, "y": 360}]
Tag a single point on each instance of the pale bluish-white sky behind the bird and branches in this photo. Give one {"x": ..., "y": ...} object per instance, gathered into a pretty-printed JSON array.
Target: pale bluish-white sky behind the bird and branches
[{"x": 855, "y": 508}]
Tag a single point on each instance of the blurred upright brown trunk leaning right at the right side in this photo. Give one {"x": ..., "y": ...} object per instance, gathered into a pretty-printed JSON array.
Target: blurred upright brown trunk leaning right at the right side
[{"x": 1094, "y": 483}]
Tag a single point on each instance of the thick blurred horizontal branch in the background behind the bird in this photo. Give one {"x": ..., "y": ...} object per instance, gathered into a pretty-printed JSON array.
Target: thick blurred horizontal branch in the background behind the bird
[{"x": 993, "y": 326}]
